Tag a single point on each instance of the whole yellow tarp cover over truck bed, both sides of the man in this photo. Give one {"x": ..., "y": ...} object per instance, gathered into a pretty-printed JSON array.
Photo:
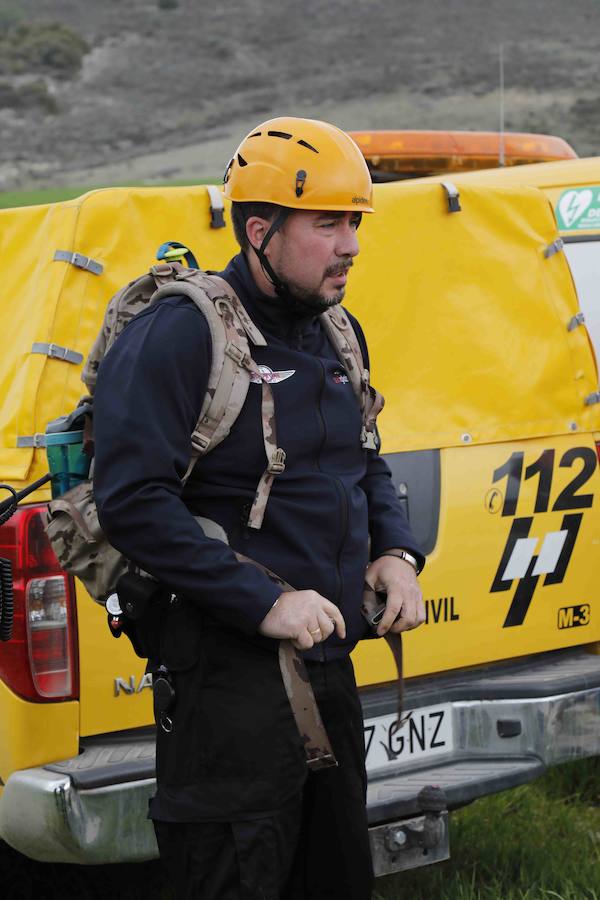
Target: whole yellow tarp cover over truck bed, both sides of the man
[{"x": 465, "y": 316}]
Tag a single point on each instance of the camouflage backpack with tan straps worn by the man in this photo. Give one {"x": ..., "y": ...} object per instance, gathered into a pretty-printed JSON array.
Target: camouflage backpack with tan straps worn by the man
[{"x": 72, "y": 525}]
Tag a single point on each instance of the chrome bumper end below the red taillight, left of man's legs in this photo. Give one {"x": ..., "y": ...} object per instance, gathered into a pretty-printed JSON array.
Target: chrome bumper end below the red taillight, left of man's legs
[{"x": 90, "y": 809}]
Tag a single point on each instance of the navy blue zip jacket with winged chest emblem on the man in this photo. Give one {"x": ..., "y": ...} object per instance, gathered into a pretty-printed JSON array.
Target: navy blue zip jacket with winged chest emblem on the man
[{"x": 321, "y": 510}]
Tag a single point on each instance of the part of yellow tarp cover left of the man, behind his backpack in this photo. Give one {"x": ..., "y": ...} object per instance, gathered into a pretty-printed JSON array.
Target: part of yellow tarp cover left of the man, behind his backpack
[{"x": 54, "y": 302}]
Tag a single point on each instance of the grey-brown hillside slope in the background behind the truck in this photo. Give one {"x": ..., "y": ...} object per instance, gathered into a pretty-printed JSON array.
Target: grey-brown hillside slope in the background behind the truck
[{"x": 168, "y": 95}]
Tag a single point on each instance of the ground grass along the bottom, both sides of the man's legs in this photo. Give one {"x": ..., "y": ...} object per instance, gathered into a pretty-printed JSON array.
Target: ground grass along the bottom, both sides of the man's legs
[{"x": 538, "y": 842}]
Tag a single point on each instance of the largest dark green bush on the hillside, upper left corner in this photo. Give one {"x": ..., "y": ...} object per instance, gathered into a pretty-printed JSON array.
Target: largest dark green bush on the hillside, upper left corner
[{"x": 53, "y": 49}]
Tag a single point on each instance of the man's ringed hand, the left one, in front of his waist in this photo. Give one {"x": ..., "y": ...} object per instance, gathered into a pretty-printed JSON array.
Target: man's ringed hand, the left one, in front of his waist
[{"x": 304, "y": 617}]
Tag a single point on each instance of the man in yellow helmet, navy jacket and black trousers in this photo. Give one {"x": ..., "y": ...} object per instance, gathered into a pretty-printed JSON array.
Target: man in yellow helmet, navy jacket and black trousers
[{"x": 236, "y": 814}]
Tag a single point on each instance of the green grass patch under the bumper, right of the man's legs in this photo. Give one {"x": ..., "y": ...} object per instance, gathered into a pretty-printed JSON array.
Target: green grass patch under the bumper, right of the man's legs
[{"x": 535, "y": 842}]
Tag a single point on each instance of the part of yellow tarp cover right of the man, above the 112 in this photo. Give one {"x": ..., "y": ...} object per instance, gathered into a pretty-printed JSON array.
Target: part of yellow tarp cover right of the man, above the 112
[{"x": 467, "y": 318}]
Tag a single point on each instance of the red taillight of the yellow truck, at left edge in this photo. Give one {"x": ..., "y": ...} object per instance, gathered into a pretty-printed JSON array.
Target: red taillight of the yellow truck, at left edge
[{"x": 40, "y": 660}]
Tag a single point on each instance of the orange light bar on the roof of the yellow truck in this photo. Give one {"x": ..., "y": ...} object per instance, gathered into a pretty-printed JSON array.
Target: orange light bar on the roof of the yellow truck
[{"x": 432, "y": 152}]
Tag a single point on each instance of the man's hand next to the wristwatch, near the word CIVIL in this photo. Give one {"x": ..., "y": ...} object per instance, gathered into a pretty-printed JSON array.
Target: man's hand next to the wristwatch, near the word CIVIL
[{"x": 404, "y": 599}]
